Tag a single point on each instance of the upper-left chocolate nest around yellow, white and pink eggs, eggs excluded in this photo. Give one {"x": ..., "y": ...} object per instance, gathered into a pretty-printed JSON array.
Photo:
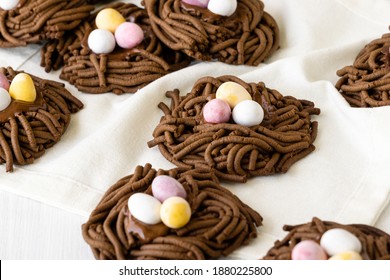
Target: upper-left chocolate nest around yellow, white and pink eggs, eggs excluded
[{"x": 123, "y": 70}]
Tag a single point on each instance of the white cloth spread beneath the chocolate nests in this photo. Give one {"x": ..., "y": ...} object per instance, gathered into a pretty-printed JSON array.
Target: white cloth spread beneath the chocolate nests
[{"x": 345, "y": 179}]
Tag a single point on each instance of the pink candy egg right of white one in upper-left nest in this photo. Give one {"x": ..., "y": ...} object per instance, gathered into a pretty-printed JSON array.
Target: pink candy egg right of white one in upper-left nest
[{"x": 128, "y": 35}]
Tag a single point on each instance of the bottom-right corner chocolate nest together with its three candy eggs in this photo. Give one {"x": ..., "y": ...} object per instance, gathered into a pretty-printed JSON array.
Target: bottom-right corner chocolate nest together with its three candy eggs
[{"x": 329, "y": 240}]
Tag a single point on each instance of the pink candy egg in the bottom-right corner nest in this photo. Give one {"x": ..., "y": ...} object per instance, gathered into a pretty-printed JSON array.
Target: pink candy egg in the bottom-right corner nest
[{"x": 308, "y": 250}]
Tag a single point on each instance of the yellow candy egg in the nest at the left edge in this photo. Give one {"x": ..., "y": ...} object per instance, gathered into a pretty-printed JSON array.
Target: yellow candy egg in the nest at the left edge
[{"x": 22, "y": 88}]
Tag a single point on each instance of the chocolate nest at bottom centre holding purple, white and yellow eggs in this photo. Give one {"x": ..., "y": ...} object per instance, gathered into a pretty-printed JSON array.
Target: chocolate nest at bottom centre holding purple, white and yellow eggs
[{"x": 219, "y": 222}]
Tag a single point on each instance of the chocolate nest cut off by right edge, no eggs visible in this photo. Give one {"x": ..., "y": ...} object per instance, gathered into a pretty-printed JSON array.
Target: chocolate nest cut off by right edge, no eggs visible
[{"x": 366, "y": 83}]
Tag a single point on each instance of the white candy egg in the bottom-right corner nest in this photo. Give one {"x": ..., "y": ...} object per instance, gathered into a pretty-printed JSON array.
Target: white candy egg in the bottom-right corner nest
[{"x": 337, "y": 240}]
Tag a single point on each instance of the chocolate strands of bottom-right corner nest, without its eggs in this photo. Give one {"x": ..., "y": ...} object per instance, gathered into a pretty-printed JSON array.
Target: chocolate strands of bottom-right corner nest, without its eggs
[{"x": 375, "y": 243}]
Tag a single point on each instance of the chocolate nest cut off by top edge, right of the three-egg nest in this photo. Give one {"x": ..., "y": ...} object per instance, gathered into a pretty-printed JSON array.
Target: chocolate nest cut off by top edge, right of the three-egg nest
[{"x": 248, "y": 36}]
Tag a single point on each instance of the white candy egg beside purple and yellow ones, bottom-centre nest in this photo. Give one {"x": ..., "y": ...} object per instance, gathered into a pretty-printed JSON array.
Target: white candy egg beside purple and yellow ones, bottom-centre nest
[{"x": 145, "y": 208}]
